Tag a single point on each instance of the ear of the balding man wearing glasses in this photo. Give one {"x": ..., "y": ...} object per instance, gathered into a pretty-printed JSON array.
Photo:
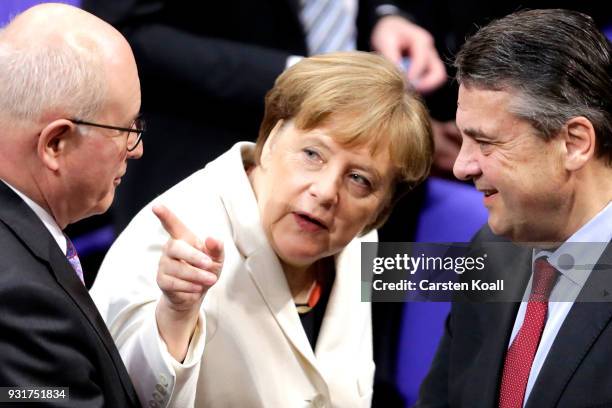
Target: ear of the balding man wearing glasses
[{"x": 53, "y": 142}]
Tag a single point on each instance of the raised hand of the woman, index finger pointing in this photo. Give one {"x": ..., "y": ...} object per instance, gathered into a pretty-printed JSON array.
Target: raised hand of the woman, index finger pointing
[{"x": 188, "y": 267}]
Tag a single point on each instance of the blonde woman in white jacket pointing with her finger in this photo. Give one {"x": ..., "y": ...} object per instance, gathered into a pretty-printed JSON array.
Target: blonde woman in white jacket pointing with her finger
[{"x": 283, "y": 325}]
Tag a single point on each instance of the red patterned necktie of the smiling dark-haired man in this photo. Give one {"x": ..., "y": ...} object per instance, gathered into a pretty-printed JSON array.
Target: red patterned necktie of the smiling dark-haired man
[{"x": 519, "y": 357}]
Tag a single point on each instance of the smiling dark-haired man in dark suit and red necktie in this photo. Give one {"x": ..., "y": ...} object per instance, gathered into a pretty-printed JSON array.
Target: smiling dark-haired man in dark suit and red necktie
[{"x": 535, "y": 114}]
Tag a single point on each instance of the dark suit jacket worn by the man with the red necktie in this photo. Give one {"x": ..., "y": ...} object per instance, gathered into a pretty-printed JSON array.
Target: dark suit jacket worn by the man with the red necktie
[{"x": 466, "y": 371}]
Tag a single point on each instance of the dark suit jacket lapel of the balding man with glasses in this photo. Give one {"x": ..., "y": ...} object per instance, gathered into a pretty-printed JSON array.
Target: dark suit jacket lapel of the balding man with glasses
[{"x": 24, "y": 223}]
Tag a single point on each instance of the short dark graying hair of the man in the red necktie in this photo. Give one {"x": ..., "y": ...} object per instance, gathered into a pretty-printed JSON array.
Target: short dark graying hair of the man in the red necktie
[{"x": 556, "y": 61}]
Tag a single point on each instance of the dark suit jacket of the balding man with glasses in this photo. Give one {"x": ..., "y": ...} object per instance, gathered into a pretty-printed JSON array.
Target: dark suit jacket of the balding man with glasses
[{"x": 51, "y": 332}]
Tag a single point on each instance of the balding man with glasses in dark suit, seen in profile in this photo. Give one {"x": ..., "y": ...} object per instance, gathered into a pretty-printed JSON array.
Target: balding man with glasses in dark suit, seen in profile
[{"x": 69, "y": 100}]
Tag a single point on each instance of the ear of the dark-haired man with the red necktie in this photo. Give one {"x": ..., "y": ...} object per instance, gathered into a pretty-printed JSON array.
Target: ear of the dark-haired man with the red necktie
[{"x": 579, "y": 143}]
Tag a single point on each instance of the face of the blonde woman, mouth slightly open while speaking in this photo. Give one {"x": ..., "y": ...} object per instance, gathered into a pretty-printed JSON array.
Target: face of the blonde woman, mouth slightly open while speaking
[{"x": 315, "y": 195}]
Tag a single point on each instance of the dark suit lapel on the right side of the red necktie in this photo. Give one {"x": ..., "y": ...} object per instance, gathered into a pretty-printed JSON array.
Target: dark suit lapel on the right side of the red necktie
[{"x": 588, "y": 317}]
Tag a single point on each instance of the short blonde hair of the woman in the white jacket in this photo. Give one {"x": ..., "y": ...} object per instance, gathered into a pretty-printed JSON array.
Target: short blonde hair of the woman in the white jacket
[{"x": 365, "y": 100}]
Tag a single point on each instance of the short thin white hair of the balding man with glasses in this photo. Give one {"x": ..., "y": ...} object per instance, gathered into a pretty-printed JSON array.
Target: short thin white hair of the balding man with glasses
[{"x": 41, "y": 79}]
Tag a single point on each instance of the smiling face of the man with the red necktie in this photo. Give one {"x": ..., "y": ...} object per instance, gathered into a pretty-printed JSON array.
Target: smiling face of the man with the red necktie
[{"x": 525, "y": 186}]
